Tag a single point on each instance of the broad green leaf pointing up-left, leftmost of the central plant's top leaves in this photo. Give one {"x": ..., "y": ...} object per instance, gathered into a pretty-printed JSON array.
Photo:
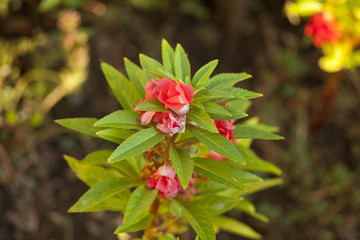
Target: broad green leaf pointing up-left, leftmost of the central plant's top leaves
[{"x": 124, "y": 91}]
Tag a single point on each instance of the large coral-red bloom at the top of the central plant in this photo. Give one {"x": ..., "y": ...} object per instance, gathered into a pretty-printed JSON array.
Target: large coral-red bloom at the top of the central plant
[{"x": 174, "y": 95}]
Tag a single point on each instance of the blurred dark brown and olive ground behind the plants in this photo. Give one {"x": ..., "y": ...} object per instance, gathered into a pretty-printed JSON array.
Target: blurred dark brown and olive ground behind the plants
[{"x": 50, "y": 54}]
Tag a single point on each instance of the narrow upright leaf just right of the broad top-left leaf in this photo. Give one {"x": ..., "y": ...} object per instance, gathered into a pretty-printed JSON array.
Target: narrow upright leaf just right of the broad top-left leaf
[{"x": 137, "y": 76}]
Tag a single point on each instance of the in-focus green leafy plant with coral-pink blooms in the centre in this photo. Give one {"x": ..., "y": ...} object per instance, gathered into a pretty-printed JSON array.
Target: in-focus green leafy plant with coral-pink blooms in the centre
[{"x": 163, "y": 173}]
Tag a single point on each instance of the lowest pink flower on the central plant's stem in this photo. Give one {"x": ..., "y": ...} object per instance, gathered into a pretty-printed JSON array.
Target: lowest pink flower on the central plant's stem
[{"x": 166, "y": 181}]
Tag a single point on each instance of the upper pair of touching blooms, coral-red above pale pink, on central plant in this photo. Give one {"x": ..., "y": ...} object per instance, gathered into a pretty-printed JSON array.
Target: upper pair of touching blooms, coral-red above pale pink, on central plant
[{"x": 173, "y": 95}]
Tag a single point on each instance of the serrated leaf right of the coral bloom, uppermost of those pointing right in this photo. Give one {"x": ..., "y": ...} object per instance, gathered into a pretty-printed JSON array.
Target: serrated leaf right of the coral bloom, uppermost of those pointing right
[{"x": 226, "y": 80}]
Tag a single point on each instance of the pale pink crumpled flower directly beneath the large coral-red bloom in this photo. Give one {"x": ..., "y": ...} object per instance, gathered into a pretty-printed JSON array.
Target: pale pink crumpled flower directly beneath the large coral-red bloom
[{"x": 169, "y": 123}]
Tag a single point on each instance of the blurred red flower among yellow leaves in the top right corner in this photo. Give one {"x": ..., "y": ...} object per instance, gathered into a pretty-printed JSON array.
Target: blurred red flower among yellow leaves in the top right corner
[{"x": 323, "y": 28}]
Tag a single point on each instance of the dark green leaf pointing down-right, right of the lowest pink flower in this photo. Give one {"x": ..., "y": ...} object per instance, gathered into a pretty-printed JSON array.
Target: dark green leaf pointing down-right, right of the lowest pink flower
[{"x": 218, "y": 172}]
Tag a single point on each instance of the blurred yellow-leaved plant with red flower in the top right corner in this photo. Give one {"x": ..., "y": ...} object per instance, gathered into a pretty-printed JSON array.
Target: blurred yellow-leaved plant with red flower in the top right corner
[{"x": 334, "y": 26}]
